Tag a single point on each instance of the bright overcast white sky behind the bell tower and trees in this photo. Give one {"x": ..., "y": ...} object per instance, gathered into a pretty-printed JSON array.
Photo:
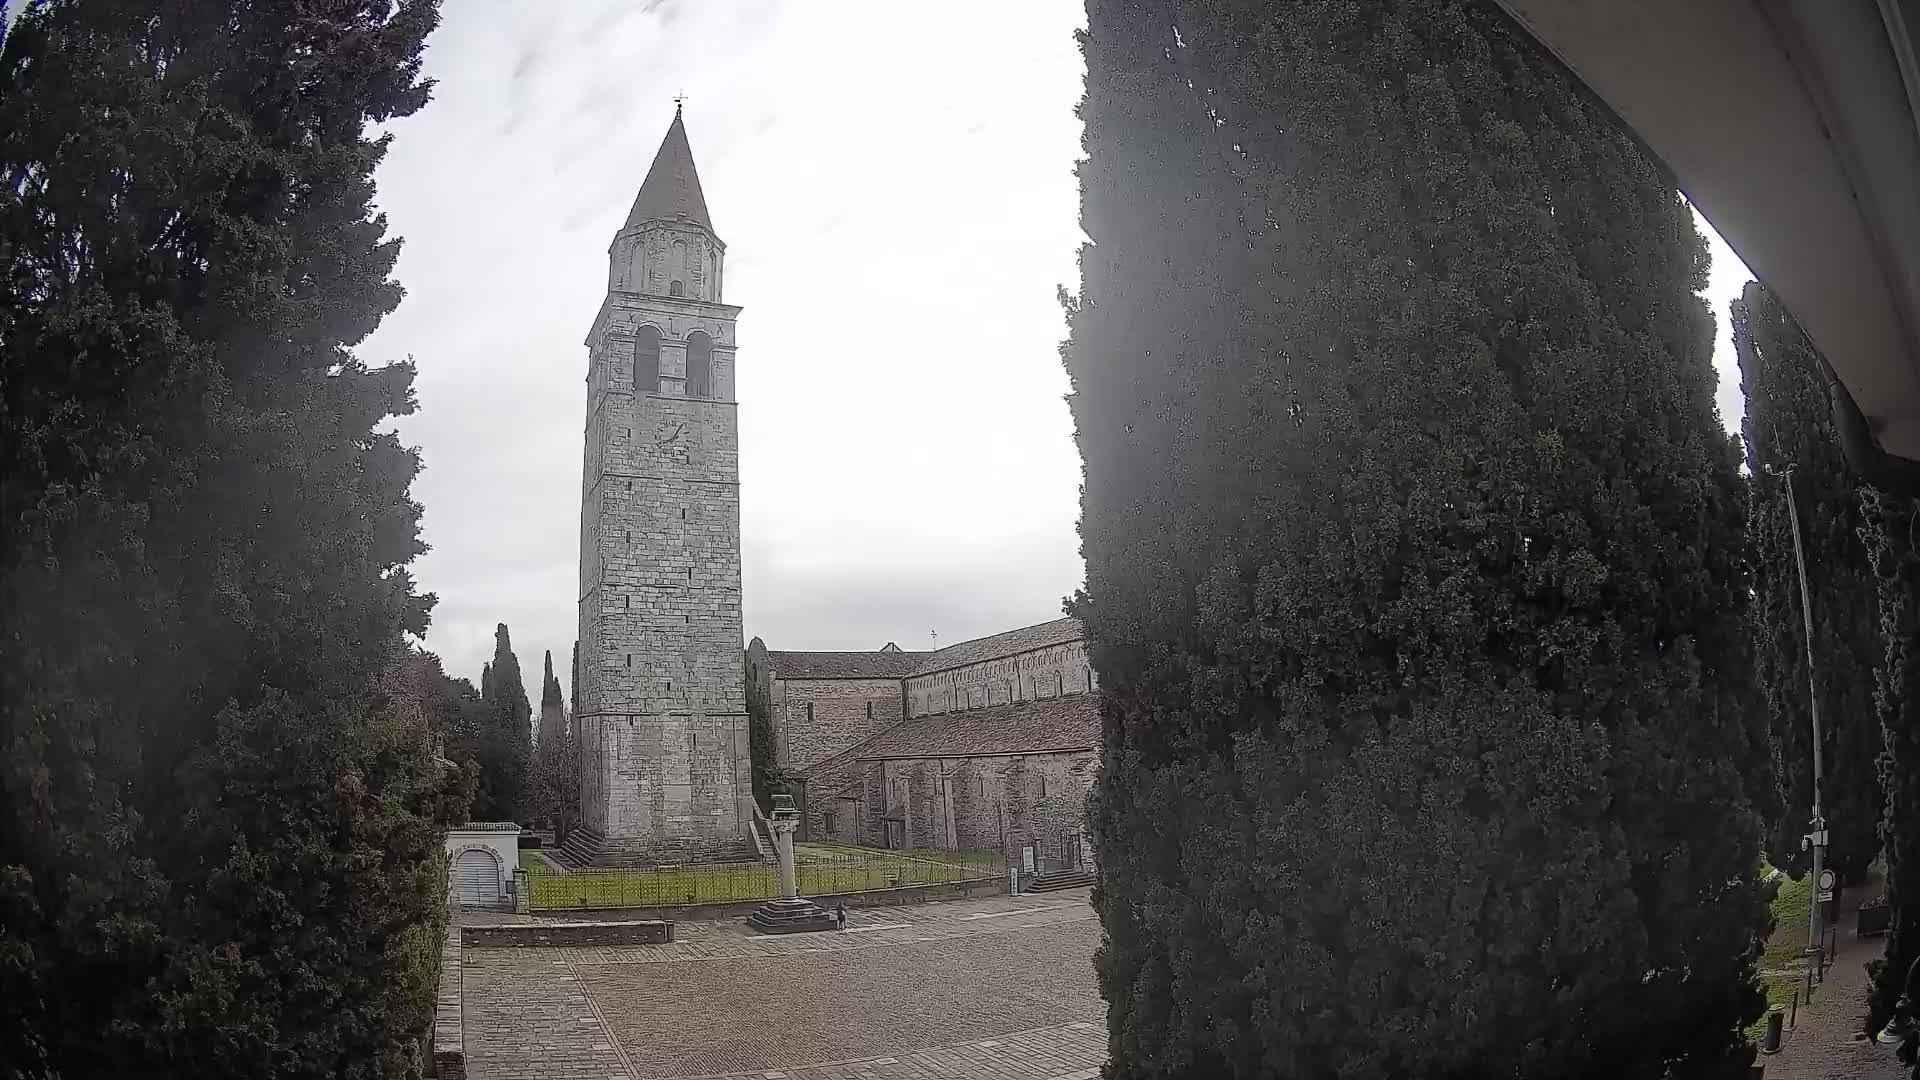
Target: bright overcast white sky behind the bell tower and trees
[{"x": 896, "y": 189}]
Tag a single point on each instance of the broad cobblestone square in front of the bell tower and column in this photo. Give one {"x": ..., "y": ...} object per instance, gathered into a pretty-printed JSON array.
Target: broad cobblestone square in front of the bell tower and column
[{"x": 997, "y": 989}]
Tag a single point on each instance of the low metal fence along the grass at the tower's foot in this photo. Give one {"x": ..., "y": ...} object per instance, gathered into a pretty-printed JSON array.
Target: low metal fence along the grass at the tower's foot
[{"x": 821, "y": 871}]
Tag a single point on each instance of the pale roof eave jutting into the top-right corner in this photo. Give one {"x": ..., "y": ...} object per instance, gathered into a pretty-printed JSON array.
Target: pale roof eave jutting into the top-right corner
[{"x": 1794, "y": 126}]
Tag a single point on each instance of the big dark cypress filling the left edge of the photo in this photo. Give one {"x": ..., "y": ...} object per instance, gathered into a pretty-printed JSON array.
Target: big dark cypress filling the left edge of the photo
[{"x": 220, "y": 845}]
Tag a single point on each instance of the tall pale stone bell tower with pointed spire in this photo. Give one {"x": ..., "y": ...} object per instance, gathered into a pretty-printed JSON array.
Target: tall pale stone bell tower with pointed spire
[{"x": 663, "y": 716}]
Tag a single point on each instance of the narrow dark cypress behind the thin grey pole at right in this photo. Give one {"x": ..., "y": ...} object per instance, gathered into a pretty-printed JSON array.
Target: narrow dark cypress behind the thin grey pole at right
[{"x": 1792, "y": 424}]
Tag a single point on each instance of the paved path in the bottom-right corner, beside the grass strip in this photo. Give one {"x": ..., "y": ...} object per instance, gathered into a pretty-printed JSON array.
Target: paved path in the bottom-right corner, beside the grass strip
[{"x": 1821, "y": 1044}]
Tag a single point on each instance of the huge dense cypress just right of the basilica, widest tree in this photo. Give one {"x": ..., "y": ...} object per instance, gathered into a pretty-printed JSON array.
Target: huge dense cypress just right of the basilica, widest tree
[{"x": 1412, "y": 539}]
